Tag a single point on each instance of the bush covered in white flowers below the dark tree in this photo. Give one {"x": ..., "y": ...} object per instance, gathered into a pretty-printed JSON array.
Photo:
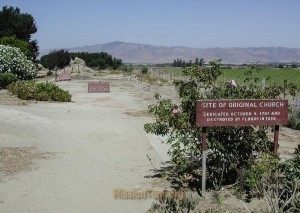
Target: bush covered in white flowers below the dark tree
[{"x": 12, "y": 60}]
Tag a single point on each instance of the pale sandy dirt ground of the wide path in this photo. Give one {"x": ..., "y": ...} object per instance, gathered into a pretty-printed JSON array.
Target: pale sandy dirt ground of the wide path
[{"x": 72, "y": 157}]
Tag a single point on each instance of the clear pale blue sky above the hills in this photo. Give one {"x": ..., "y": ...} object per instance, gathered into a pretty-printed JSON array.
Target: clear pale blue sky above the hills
[{"x": 191, "y": 23}]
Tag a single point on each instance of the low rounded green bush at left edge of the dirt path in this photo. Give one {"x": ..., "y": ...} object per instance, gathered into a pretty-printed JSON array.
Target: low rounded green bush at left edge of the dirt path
[{"x": 39, "y": 91}]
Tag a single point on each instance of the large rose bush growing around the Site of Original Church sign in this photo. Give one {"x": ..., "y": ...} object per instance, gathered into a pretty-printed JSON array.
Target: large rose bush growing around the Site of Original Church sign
[{"x": 229, "y": 148}]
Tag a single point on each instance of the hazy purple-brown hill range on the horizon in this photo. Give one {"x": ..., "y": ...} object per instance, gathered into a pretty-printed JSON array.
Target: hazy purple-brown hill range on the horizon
[{"x": 141, "y": 53}]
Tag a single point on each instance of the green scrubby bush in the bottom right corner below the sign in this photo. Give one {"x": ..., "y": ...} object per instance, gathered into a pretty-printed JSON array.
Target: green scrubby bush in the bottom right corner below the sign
[{"x": 276, "y": 182}]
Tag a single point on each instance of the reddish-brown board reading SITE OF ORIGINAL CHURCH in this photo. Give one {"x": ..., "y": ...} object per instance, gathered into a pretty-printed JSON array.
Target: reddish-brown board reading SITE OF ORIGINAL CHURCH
[{"x": 241, "y": 112}]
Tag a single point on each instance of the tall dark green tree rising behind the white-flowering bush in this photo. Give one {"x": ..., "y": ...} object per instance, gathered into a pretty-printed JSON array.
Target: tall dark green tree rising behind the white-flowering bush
[{"x": 21, "y": 25}]
